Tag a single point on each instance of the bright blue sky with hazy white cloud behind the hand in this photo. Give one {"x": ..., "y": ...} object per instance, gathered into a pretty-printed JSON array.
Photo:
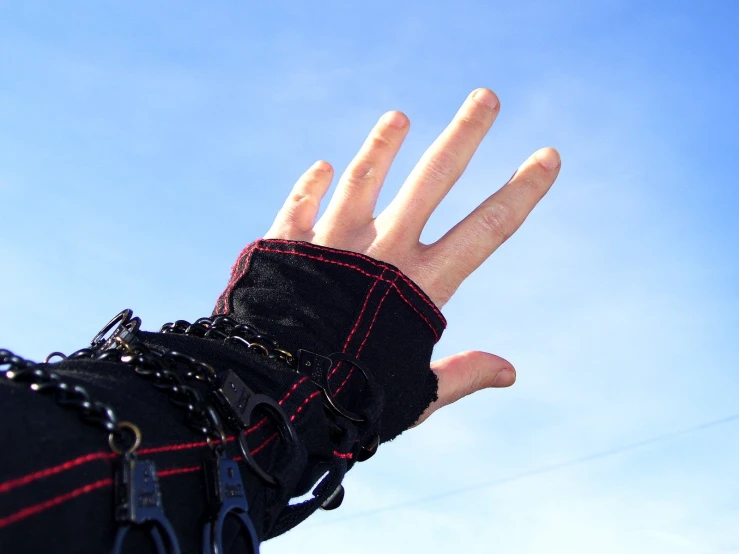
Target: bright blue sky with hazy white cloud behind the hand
[{"x": 141, "y": 146}]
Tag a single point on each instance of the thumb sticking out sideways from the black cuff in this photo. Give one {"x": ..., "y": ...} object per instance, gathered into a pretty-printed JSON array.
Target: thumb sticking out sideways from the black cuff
[{"x": 462, "y": 374}]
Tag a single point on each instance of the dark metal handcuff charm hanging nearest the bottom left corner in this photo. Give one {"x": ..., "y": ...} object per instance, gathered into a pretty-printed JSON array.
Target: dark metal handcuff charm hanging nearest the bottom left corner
[{"x": 139, "y": 503}]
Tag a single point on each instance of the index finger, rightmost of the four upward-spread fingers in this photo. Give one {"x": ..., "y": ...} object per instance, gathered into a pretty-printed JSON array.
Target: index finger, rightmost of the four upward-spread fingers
[{"x": 476, "y": 237}]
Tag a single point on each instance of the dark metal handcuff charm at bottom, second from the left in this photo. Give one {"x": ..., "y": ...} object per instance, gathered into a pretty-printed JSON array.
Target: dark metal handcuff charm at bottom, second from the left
[{"x": 227, "y": 496}]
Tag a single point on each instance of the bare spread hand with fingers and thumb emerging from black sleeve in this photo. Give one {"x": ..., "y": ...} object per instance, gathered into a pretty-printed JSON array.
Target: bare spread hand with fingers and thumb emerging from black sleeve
[{"x": 393, "y": 236}]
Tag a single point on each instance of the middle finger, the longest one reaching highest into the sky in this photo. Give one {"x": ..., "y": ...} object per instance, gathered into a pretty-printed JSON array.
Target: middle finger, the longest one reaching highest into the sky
[{"x": 441, "y": 166}]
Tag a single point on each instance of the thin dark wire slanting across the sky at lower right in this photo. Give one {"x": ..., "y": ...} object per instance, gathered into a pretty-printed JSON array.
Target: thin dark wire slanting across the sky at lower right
[{"x": 534, "y": 472}]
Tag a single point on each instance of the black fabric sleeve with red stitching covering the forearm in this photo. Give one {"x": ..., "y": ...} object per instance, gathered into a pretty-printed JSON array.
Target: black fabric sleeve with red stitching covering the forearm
[{"x": 361, "y": 335}]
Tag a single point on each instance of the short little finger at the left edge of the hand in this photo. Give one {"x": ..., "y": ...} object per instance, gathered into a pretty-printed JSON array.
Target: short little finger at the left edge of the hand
[{"x": 298, "y": 215}]
